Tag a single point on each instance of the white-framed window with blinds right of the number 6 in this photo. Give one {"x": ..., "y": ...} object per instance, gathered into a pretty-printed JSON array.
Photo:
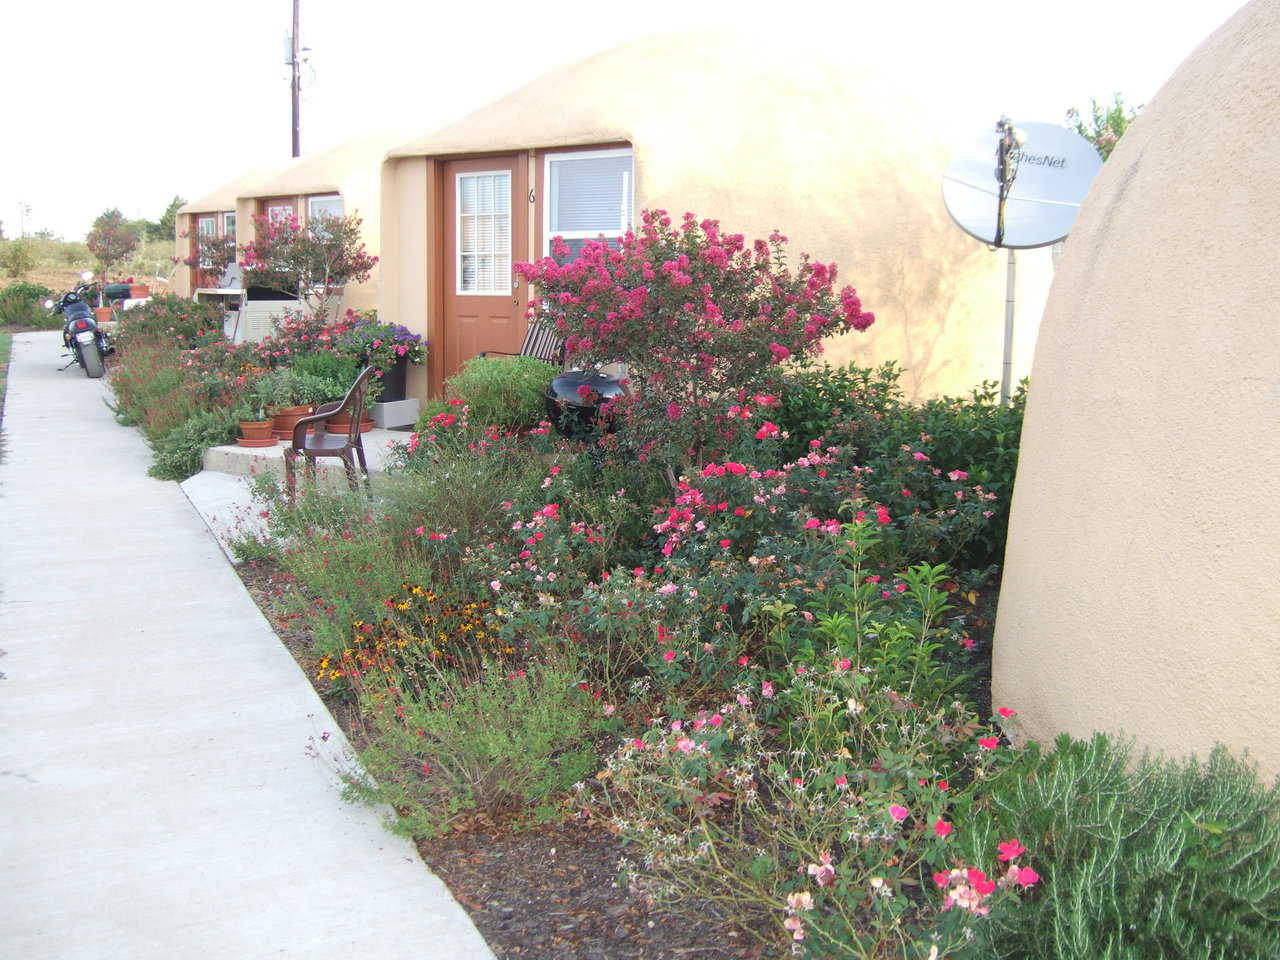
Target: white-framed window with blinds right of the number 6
[{"x": 589, "y": 194}]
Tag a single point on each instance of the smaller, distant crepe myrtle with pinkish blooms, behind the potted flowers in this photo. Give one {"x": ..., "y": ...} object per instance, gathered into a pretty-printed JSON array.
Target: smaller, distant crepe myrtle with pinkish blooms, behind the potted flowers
[{"x": 312, "y": 262}]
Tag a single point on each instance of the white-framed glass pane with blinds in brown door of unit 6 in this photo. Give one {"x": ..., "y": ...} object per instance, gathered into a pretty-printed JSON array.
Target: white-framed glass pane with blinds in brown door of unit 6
[{"x": 484, "y": 234}]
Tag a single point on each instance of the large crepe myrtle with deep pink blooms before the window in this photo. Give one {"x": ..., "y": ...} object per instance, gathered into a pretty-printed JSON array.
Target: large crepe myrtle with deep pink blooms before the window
[{"x": 703, "y": 323}]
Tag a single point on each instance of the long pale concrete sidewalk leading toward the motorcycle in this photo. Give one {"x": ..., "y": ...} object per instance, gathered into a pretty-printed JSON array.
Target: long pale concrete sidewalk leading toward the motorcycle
[{"x": 170, "y": 783}]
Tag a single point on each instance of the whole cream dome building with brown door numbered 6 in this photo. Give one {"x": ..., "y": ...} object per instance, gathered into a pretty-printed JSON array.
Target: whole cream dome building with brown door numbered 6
[{"x": 758, "y": 136}]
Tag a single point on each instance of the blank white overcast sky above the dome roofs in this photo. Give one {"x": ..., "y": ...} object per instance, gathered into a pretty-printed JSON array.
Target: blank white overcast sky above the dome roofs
[{"x": 127, "y": 103}]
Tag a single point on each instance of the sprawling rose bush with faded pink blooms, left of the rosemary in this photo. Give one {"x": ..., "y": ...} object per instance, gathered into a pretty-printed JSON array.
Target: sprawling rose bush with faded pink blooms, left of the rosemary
[{"x": 813, "y": 801}]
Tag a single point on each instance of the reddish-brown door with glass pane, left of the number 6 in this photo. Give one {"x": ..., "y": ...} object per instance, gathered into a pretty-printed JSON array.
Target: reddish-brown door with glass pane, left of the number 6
[{"x": 486, "y": 231}]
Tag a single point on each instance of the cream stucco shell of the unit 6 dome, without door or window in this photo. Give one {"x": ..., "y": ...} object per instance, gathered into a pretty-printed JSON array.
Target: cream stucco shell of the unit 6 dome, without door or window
[{"x": 765, "y": 136}]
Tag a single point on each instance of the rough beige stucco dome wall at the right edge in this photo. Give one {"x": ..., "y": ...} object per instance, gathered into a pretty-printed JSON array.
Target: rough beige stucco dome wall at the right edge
[{"x": 1141, "y": 586}]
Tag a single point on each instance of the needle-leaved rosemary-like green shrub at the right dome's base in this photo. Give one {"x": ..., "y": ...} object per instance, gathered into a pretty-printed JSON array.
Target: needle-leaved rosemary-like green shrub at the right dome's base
[{"x": 1148, "y": 860}]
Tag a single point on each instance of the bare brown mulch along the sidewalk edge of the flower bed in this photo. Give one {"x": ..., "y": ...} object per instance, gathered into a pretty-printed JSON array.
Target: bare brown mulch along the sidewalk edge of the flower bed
[{"x": 540, "y": 892}]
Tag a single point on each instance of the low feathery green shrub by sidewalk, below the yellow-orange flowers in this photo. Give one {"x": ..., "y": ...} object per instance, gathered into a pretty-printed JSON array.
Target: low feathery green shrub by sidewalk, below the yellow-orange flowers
[{"x": 500, "y": 739}]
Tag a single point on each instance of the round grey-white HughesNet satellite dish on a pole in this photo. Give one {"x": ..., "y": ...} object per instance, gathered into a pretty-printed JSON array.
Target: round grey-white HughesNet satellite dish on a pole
[{"x": 1053, "y": 171}]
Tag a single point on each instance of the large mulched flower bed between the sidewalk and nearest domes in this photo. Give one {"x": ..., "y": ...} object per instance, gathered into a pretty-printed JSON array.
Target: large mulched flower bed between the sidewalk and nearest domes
[{"x": 728, "y": 660}]
